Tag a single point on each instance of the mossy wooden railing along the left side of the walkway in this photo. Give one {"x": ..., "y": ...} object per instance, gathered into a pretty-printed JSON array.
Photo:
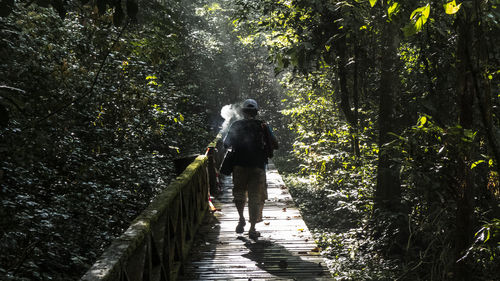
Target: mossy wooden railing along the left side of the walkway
[{"x": 159, "y": 239}]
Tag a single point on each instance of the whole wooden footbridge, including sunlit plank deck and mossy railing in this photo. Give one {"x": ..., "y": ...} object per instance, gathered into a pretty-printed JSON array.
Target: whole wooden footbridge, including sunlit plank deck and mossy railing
[{"x": 177, "y": 237}]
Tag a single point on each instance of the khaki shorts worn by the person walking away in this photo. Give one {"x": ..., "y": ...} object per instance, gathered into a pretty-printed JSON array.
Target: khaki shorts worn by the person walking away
[{"x": 250, "y": 183}]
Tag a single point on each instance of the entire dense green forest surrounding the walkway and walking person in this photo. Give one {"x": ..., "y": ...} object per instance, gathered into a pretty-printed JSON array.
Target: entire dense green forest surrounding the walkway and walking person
[{"x": 387, "y": 113}]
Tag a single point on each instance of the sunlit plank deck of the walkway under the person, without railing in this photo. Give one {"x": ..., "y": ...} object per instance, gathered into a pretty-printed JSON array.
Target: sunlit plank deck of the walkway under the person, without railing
[{"x": 285, "y": 250}]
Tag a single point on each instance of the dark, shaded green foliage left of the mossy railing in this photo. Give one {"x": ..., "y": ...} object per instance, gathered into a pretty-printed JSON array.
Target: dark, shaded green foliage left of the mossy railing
[{"x": 96, "y": 116}]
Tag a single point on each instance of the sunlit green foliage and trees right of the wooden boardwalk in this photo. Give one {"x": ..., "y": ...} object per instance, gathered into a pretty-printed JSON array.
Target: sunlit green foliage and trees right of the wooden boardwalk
[{"x": 329, "y": 56}]
